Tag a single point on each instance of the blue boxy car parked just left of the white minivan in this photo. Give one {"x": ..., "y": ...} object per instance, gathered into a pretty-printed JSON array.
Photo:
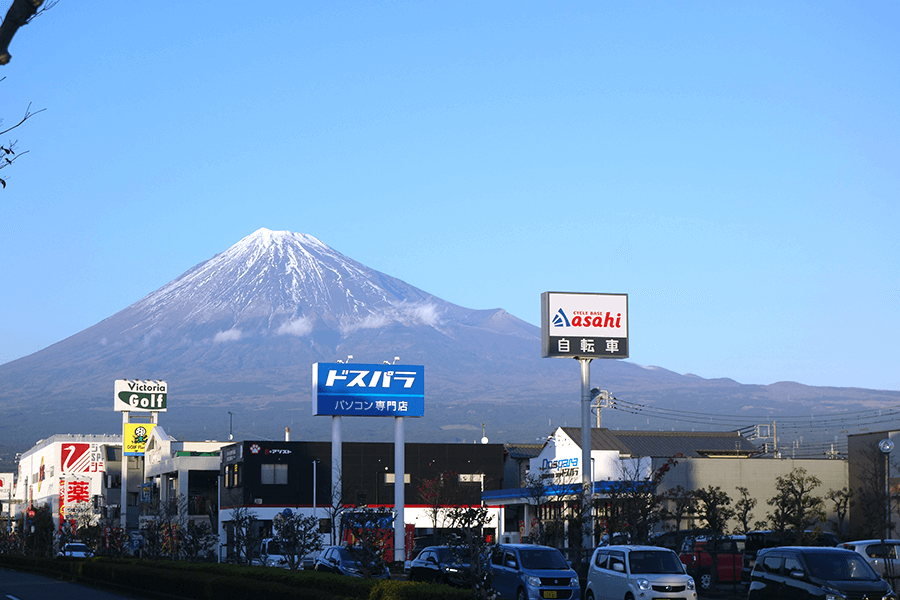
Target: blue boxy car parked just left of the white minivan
[{"x": 530, "y": 572}]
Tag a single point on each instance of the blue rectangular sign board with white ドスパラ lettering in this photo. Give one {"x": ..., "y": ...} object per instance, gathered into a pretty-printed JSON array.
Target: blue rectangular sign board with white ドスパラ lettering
[{"x": 368, "y": 390}]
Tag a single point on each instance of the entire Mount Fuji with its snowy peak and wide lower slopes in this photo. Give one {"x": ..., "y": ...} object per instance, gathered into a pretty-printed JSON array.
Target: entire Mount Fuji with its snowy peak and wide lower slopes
[{"x": 235, "y": 338}]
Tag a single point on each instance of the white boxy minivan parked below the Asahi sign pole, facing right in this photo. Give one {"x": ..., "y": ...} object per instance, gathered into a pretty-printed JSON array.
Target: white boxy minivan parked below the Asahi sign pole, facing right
[{"x": 618, "y": 572}]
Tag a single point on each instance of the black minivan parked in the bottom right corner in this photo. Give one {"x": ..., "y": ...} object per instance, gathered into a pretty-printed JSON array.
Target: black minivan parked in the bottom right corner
[{"x": 804, "y": 573}]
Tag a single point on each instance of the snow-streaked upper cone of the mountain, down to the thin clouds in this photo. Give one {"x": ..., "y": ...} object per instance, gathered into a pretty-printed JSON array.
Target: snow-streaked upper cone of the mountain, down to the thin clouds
[{"x": 284, "y": 283}]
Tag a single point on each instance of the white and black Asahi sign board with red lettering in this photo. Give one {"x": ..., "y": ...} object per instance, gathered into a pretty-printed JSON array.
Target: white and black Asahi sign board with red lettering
[{"x": 581, "y": 325}]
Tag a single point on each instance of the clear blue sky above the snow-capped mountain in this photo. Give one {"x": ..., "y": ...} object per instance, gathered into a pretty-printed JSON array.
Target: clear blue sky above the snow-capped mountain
[{"x": 734, "y": 167}]
